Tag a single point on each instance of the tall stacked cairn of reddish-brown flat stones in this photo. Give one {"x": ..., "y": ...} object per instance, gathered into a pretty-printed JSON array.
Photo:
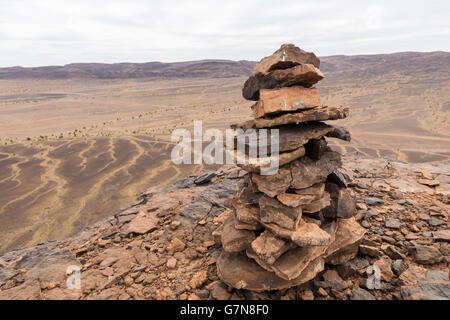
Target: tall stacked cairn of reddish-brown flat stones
[{"x": 283, "y": 228}]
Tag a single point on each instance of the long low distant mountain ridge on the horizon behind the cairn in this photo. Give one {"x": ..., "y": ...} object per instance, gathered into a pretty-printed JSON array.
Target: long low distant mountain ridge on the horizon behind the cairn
[{"x": 358, "y": 65}]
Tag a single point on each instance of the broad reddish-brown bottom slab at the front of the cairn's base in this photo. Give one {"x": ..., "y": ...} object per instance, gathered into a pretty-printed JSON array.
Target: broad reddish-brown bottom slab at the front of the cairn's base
[{"x": 241, "y": 272}]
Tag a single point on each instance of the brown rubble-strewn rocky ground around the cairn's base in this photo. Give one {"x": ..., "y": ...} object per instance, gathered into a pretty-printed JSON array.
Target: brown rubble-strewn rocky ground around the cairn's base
[{"x": 163, "y": 247}]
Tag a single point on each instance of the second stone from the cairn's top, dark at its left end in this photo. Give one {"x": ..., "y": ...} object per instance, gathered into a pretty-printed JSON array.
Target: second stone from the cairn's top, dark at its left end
[{"x": 304, "y": 75}]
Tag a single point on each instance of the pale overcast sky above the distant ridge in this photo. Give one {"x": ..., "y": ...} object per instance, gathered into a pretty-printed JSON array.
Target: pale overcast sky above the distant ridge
[{"x": 56, "y": 32}]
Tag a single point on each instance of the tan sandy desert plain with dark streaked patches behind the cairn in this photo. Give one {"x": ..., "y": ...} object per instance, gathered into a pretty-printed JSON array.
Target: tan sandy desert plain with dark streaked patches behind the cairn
[{"x": 73, "y": 150}]
